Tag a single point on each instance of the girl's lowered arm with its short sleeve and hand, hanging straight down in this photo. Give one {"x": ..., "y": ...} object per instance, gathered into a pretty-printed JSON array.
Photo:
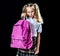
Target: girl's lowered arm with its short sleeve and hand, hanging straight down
[{"x": 38, "y": 39}]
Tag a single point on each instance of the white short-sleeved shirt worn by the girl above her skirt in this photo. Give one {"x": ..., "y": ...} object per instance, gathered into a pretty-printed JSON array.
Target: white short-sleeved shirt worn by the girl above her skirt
[{"x": 36, "y": 26}]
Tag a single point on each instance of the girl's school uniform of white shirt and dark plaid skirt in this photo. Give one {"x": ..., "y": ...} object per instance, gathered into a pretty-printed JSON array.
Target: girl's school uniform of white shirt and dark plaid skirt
[{"x": 36, "y": 27}]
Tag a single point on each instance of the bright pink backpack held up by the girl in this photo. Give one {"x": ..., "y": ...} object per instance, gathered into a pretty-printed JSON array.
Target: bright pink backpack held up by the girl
[{"x": 21, "y": 36}]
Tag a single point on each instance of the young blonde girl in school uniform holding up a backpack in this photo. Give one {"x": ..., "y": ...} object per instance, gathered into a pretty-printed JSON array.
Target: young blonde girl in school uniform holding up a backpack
[{"x": 32, "y": 14}]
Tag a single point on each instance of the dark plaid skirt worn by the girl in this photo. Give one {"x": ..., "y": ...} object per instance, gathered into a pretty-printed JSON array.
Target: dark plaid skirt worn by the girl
[{"x": 30, "y": 52}]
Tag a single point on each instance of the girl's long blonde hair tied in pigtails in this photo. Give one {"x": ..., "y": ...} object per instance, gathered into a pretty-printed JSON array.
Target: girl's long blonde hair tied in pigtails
[{"x": 36, "y": 10}]
